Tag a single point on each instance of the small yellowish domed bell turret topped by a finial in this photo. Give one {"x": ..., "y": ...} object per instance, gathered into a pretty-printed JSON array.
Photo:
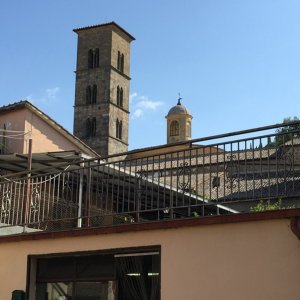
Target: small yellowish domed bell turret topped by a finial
[{"x": 179, "y": 124}]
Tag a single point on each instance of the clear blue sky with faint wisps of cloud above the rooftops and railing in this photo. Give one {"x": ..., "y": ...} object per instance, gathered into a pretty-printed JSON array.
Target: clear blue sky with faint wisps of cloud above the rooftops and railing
[{"x": 235, "y": 63}]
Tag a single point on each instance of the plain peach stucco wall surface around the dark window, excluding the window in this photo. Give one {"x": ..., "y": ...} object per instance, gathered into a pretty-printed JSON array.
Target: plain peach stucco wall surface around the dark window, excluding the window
[{"x": 251, "y": 260}]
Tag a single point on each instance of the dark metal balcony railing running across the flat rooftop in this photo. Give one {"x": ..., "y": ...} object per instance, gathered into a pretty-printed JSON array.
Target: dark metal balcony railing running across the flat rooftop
[{"x": 224, "y": 174}]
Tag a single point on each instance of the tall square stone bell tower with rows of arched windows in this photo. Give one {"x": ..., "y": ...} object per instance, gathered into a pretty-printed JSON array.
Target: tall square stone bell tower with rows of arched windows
[{"x": 101, "y": 110}]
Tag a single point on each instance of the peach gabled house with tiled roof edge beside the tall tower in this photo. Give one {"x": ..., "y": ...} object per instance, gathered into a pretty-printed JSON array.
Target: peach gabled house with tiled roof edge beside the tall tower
[{"x": 22, "y": 121}]
